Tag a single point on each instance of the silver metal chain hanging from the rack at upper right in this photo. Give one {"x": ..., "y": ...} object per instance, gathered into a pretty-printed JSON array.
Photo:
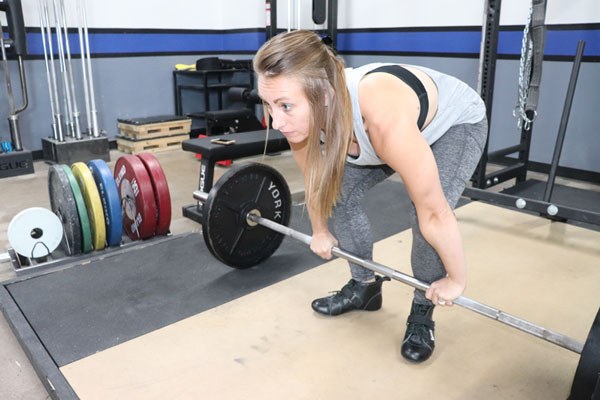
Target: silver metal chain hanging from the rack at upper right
[{"x": 524, "y": 75}]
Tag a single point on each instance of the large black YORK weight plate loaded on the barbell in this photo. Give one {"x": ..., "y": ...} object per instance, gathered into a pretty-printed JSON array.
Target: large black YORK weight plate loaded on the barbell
[{"x": 241, "y": 189}]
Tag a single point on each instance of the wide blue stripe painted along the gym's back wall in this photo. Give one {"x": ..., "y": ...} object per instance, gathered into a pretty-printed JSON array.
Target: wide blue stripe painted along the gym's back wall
[{"x": 559, "y": 43}]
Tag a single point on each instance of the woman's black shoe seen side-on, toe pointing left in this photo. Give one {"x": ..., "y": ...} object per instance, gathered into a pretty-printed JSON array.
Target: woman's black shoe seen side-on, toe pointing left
[{"x": 353, "y": 296}]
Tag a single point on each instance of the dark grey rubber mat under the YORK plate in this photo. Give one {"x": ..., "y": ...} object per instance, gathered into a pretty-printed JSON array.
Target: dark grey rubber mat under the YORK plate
[{"x": 89, "y": 307}]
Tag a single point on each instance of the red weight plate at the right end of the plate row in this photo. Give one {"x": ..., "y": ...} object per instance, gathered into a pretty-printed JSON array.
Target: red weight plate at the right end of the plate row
[{"x": 161, "y": 192}]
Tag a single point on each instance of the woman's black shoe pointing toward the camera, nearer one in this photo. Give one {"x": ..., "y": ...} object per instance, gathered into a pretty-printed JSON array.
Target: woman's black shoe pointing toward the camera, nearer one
[{"x": 419, "y": 340}]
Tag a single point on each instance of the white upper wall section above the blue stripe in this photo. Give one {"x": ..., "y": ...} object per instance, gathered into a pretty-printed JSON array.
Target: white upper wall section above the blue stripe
[{"x": 239, "y": 14}]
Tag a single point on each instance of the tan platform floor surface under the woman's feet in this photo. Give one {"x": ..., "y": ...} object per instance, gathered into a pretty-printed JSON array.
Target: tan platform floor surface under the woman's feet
[{"x": 270, "y": 345}]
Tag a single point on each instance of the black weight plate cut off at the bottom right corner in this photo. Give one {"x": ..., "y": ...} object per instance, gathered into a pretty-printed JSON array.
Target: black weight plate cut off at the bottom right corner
[{"x": 587, "y": 375}]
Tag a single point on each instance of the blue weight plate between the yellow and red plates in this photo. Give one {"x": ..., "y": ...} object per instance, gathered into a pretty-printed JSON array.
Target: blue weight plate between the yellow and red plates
[{"x": 111, "y": 202}]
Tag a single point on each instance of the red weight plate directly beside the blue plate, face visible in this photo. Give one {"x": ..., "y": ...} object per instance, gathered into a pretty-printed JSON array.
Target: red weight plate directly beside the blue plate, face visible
[{"x": 137, "y": 197}]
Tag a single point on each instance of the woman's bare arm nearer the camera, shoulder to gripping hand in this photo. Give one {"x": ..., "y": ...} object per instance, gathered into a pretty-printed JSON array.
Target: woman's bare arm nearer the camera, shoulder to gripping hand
[{"x": 390, "y": 110}]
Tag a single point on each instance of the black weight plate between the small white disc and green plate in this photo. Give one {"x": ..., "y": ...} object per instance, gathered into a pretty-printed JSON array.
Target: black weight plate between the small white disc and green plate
[{"x": 62, "y": 203}]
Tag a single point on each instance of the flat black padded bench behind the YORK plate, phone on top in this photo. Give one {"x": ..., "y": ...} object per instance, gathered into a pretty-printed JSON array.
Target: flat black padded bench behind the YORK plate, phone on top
[{"x": 246, "y": 144}]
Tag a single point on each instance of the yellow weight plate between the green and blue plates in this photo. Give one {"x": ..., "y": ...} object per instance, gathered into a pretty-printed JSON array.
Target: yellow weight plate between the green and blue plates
[{"x": 93, "y": 203}]
